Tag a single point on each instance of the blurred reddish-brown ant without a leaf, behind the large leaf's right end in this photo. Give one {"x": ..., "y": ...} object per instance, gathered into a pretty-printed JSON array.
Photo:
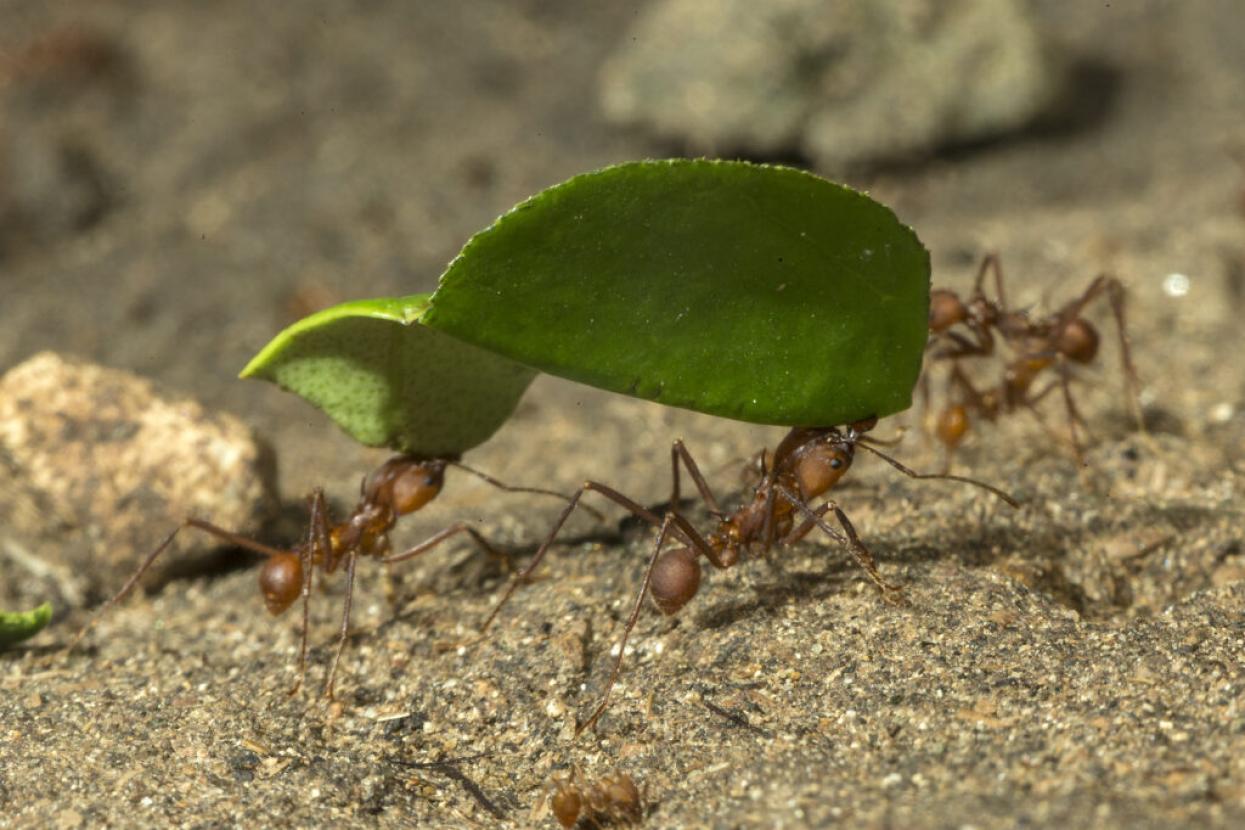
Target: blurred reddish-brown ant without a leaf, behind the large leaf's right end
[{"x": 1039, "y": 344}]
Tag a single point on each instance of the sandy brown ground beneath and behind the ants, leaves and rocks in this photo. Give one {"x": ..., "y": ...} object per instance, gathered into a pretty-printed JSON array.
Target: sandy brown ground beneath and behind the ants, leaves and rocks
[{"x": 1075, "y": 663}]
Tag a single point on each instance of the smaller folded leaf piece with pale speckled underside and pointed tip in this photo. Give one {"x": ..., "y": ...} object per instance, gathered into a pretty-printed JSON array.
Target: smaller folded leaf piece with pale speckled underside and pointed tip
[{"x": 390, "y": 381}]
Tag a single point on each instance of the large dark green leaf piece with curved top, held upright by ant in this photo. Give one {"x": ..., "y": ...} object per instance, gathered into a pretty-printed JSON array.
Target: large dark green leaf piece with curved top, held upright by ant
[{"x": 758, "y": 293}]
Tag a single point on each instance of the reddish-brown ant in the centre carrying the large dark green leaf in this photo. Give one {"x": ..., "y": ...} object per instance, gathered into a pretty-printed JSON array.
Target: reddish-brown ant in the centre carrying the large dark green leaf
[{"x": 806, "y": 465}]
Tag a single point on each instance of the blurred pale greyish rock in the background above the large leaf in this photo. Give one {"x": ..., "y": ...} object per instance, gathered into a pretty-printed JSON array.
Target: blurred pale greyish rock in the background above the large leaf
[{"x": 843, "y": 82}]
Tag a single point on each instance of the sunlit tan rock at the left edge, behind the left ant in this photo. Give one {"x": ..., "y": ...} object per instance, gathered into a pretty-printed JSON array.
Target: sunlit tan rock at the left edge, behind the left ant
[{"x": 96, "y": 467}]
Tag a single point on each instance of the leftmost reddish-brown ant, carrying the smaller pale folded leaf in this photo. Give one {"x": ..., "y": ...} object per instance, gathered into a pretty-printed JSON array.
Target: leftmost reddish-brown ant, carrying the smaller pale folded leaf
[{"x": 397, "y": 488}]
